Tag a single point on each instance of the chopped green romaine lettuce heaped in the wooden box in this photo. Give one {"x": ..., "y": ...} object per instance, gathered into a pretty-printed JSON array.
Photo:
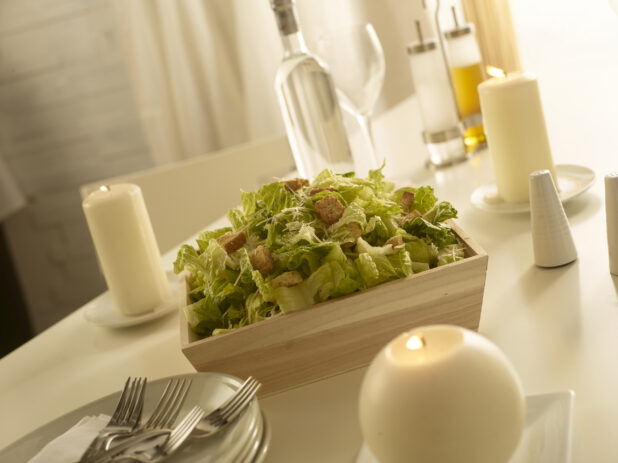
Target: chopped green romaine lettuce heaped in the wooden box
[{"x": 372, "y": 242}]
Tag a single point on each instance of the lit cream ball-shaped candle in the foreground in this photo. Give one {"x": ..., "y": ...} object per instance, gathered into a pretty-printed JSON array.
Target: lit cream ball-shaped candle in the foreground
[{"x": 441, "y": 394}]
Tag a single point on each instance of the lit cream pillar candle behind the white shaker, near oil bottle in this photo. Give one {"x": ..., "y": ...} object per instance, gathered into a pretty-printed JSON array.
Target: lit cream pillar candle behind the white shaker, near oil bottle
[{"x": 516, "y": 132}]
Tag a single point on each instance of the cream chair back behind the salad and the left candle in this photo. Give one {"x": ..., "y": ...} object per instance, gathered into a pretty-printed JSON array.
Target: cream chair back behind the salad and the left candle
[{"x": 182, "y": 198}]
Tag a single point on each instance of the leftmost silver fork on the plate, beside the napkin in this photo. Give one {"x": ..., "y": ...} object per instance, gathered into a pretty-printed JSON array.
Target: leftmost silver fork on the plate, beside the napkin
[{"x": 125, "y": 419}]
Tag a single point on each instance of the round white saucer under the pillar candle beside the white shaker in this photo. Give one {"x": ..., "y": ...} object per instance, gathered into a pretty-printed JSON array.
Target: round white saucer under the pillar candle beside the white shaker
[{"x": 573, "y": 180}]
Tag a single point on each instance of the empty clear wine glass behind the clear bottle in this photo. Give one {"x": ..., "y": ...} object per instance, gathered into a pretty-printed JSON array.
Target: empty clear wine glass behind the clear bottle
[{"x": 355, "y": 59}]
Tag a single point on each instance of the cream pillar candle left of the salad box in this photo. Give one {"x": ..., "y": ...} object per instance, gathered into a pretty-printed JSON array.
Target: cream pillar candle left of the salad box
[{"x": 127, "y": 248}]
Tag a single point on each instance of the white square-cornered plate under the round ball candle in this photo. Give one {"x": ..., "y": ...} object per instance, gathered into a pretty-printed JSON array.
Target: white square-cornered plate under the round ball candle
[{"x": 546, "y": 437}]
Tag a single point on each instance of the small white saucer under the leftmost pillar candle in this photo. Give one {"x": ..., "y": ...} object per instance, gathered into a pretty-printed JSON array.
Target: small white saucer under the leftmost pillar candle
[{"x": 101, "y": 311}]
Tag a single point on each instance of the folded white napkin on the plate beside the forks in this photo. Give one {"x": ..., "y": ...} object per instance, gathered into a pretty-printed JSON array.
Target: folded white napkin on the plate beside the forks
[{"x": 72, "y": 444}]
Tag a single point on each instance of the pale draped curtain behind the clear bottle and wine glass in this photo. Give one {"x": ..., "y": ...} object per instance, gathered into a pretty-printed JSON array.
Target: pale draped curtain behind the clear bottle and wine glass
[{"x": 203, "y": 70}]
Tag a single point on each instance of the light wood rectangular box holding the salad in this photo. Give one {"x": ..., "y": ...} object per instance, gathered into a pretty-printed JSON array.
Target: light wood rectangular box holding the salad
[{"x": 345, "y": 333}]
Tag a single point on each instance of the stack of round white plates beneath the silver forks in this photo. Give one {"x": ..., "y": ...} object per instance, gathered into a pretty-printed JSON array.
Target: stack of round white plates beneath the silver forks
[{"x": 208, "y": 390}]
